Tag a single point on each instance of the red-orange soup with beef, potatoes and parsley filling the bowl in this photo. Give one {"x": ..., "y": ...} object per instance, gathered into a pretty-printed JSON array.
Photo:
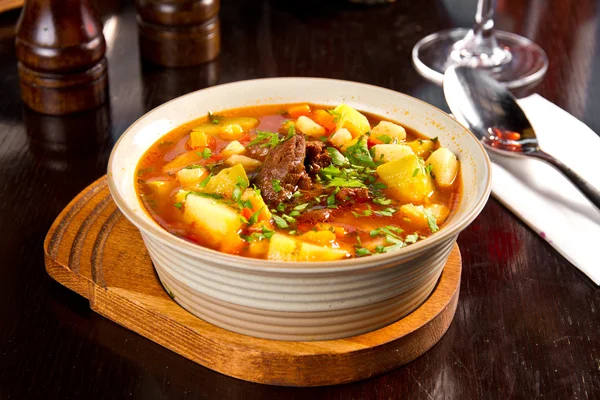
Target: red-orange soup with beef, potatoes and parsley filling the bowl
[{"x": 298, "y": 183}]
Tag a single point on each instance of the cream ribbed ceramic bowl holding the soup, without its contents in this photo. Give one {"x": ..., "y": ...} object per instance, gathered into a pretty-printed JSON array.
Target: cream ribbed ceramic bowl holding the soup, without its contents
[{"x": 298, "y": 301}]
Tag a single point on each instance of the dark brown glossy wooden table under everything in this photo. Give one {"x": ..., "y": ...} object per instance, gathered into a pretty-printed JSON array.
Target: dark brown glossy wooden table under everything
[{"x": 527, "y": 324}]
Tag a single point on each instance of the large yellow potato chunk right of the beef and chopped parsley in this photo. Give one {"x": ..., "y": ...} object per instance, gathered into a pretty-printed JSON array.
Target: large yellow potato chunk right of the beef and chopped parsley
[{"x": 407, "y": 179}]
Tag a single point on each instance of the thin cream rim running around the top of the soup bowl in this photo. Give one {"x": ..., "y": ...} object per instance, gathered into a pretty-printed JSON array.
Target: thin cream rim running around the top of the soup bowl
[{"x": 246, "y": 263}]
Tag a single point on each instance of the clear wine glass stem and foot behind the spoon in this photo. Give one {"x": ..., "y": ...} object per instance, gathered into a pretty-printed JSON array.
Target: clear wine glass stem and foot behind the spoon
[{"x": 511, "y": 59}]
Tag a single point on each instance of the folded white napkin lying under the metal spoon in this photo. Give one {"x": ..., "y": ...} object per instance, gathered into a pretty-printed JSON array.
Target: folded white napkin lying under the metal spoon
[{"x": 542, "y": 197}]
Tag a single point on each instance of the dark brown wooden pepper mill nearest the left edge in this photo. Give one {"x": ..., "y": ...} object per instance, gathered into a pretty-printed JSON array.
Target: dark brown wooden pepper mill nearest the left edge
[{"x": 60, "y": 48}]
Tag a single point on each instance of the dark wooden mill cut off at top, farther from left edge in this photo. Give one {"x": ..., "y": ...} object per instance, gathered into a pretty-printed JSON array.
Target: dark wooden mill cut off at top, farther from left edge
[{"x": 179, "y": 33}]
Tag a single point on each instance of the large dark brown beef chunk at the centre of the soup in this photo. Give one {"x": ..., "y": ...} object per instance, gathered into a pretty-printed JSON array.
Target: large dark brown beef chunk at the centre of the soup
[{"x": 285, "y": 163}]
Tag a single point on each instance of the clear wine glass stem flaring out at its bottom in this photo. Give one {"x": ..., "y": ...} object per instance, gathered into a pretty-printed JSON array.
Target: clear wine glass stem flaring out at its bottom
[{"x": 480, "y": 48}]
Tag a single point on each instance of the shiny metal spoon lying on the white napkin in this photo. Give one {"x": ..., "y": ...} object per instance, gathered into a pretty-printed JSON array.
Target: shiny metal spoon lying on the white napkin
[{"x": 491, "y": 112}]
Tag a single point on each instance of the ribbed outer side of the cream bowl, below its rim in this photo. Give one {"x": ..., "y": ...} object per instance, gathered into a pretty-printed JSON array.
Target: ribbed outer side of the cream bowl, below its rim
[{"x": 296, "y": 305}]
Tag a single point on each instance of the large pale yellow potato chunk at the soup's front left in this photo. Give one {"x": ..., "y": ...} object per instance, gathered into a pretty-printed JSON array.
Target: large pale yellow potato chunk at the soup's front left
[{"x": 213, "y": 220}]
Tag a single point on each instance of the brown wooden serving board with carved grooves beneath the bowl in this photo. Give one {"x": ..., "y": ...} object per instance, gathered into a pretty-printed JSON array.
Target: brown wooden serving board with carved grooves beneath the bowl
[{"x": 93, "y": 250}]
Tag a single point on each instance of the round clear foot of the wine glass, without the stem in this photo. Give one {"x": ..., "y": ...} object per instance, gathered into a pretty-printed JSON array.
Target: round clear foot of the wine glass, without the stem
[{"x": 527, "y": 64}]
